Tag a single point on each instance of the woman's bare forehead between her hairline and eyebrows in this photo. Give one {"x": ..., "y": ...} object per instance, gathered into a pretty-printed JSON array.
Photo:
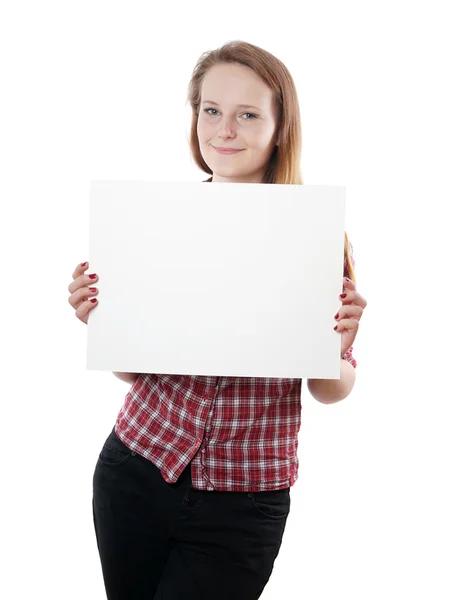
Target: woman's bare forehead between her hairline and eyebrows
[{"x": 235, "y": 84}]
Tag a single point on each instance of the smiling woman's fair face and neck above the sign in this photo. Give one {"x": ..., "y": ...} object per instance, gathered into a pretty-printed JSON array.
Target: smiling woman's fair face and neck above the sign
[{"x": 223, "y": 123}]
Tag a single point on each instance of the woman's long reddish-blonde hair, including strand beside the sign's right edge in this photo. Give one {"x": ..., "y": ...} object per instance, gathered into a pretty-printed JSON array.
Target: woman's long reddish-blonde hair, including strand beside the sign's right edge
[{"x": 284, "y": 163}]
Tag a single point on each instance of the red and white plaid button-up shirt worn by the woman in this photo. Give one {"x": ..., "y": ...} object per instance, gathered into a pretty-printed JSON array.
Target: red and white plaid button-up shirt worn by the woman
[{"x": 240, "y": 433}]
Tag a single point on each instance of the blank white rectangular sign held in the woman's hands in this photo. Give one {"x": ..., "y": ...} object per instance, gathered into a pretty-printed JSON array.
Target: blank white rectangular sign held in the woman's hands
[{"x": 216, "y": 279}]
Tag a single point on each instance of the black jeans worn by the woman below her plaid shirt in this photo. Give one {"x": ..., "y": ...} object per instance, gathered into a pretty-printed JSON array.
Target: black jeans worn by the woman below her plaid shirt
[{"x": 160, "y": 541}]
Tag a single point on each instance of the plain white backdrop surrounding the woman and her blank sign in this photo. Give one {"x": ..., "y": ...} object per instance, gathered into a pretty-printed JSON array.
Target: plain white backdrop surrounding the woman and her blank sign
[{"x": 97, "y": 90}]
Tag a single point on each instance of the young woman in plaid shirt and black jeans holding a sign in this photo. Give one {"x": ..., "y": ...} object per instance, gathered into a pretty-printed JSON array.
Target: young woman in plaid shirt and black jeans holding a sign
[{"x": 191, "y": 491}]
